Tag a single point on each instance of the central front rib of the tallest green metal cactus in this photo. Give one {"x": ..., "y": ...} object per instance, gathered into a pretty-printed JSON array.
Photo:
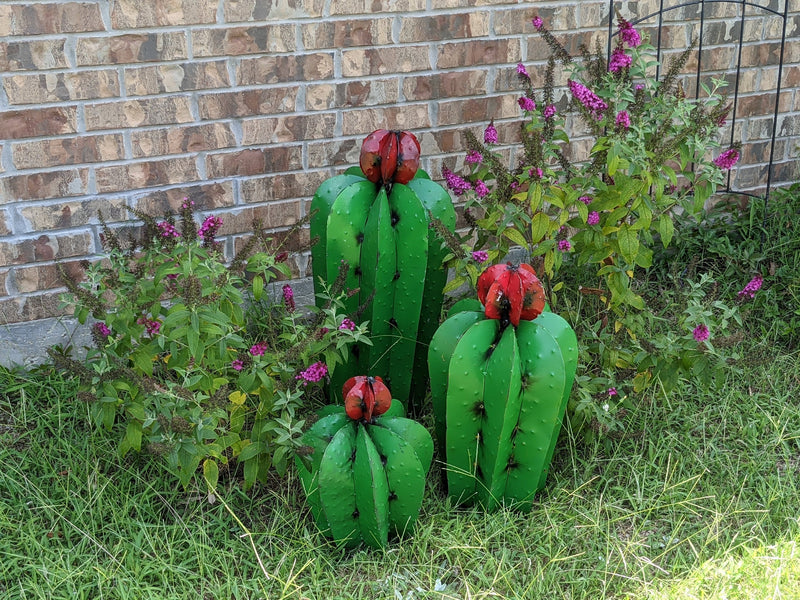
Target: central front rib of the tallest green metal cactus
[{"x": 378, "y": 266}]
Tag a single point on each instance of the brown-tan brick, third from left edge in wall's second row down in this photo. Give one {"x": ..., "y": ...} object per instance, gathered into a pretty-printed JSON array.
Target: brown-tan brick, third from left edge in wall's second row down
[{"x": 233, "y": 41}]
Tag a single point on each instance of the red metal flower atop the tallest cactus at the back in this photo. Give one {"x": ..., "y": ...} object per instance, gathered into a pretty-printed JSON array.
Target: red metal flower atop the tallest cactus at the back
[{"x": 389, "y": 156}]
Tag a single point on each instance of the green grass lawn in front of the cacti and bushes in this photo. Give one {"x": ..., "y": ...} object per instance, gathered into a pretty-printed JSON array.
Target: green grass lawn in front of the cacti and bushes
[{"x": 698, "y": 499}]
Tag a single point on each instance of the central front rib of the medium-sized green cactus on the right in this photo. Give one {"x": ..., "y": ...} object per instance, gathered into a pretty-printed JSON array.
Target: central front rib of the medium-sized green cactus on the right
[{"x": 501, "y": 408}]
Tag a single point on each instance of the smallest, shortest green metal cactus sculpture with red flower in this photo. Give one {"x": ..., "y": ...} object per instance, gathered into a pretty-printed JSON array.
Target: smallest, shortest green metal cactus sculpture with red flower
[{"x": 364, "y": 468}]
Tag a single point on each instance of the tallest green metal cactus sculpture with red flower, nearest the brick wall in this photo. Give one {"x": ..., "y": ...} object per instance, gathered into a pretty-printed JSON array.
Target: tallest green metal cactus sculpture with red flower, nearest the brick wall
[{"x": 376, "y": 218}]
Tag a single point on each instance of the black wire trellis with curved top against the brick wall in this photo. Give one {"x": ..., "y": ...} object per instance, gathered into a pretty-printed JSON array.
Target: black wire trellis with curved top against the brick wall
[{"x": 746, "y": 10}]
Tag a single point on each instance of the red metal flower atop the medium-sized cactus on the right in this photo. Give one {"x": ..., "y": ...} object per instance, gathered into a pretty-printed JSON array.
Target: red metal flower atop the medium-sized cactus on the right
[{"x": 511, "y": 292}]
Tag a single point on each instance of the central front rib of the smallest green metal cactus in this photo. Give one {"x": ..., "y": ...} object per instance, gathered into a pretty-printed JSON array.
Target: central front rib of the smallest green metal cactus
[{"x": 371, "y": 491}]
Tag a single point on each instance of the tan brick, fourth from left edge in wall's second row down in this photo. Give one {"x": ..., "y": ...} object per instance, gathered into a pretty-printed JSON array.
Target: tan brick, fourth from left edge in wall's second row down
[{"x": 346, "y": 34}]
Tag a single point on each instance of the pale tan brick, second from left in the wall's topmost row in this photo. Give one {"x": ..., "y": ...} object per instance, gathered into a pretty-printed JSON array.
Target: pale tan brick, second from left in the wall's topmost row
[{"x": 133, "y": 14}]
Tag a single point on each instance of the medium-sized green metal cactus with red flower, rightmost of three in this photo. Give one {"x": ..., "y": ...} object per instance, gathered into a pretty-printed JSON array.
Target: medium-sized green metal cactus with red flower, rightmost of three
[{"x": 501, "y": 375}]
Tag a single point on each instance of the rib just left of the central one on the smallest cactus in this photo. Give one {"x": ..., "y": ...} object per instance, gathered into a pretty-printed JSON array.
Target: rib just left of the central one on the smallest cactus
[{"x": 337, "y": 487}]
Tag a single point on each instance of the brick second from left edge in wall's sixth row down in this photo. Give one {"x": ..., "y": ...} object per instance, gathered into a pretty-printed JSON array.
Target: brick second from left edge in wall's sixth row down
[{"x": 136, "y": 176}]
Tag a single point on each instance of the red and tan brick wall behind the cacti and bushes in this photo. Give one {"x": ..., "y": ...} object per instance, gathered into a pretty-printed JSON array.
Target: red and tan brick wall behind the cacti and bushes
[{"x": 245, "y": 106}]
